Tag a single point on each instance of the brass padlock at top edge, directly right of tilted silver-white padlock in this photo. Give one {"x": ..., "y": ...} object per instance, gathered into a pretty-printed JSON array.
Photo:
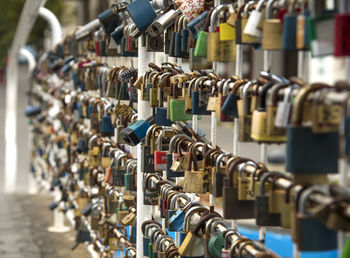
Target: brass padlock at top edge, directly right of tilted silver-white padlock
[{"x": 272, "y": 30}]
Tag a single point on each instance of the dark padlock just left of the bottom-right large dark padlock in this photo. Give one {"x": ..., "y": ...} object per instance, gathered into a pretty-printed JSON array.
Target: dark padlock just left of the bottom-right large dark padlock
[{"x": 263, "y": 215}]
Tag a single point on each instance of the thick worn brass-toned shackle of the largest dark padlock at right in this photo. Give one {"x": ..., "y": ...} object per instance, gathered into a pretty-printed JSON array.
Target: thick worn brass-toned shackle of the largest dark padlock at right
[{"x": 300, "y": 99}]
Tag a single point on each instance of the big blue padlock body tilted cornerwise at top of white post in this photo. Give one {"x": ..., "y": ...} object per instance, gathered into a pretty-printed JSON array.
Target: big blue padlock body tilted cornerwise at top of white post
[{"x": 142, "y": 13}]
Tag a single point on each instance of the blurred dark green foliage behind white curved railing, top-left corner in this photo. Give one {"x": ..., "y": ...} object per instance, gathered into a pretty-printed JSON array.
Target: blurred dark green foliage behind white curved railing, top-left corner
[{"x": 10, "y": 11}]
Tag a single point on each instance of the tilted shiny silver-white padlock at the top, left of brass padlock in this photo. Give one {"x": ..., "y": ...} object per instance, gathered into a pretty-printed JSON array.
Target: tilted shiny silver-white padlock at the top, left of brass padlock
[{"x": 252, "y": 26}]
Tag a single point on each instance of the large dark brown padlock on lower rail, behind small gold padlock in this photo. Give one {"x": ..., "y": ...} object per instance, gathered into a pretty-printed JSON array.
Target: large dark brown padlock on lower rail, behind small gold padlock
[{"x": 234, "y": 208}]
